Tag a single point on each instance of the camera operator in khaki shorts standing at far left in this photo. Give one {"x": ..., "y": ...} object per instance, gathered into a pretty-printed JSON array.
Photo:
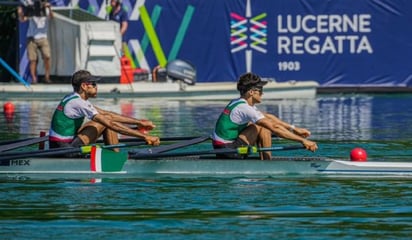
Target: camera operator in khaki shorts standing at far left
[{"x": 37, "y": 36}]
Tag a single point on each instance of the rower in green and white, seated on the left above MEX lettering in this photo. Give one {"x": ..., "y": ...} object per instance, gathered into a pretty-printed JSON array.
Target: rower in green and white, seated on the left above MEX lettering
[{"x": 67, "y": 128}]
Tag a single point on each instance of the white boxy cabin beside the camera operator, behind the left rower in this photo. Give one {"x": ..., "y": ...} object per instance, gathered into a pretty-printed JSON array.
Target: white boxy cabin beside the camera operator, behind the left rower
[{"x": 80, "y": 40}]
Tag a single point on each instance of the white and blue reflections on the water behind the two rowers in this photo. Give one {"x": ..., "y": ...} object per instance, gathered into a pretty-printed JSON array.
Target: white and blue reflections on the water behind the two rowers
[{"x": 328, "y": 117}]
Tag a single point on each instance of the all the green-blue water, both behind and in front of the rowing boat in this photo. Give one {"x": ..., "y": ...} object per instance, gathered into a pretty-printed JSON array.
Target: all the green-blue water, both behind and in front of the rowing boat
[{"x": 225, "y": 208}]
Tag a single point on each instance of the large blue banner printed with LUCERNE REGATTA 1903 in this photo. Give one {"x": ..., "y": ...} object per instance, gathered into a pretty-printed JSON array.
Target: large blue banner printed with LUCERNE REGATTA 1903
[{"x": 337, "y": 43}]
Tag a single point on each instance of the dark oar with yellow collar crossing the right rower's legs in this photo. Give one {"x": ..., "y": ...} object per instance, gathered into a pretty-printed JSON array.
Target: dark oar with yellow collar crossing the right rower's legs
[{"x": 240, "y": 150}]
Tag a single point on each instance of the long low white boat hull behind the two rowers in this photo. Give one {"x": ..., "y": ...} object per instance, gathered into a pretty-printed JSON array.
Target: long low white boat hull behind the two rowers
[{"x": 167, "y": 90}]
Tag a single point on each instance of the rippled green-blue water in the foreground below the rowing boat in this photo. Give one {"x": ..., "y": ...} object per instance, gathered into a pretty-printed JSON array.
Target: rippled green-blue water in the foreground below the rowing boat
[{"x": 208, "y": 208}]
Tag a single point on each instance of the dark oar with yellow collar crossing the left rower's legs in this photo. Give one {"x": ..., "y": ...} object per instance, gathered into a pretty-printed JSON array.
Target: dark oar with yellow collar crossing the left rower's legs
[{"x": 58, "y": 151}]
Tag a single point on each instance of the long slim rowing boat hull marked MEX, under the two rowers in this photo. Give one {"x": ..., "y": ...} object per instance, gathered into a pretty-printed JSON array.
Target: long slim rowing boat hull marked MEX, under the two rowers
[{"x": 198, "y": 166}]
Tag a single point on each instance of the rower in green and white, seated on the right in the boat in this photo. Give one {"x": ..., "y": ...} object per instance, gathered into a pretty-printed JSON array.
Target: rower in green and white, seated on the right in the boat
[{"x": 242, "y": 124}]
